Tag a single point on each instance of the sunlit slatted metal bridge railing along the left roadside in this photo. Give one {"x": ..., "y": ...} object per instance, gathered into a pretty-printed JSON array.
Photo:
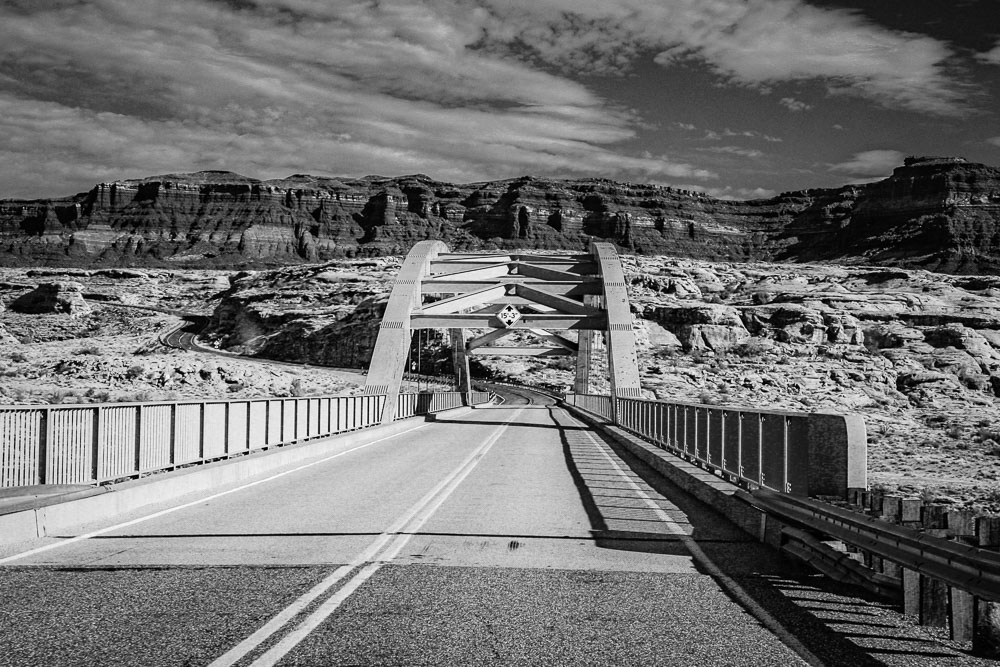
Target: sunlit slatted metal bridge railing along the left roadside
[{"x": 97, "y": 443}]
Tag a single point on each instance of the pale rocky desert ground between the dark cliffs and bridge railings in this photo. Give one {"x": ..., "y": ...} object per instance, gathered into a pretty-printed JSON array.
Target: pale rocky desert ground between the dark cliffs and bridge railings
[{"x": 916, "y": 353}]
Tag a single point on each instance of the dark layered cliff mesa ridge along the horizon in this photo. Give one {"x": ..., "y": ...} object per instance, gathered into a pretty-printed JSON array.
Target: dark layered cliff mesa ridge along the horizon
[{"x": 941, "y": 214}]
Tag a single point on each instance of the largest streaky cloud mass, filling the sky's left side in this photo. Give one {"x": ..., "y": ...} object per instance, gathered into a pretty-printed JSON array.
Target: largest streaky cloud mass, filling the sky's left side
[{"x": 271, "y": 88}]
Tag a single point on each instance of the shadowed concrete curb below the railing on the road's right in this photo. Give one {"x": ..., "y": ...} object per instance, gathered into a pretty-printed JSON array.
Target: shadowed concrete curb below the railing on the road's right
[{"x": 727, "y": 498}]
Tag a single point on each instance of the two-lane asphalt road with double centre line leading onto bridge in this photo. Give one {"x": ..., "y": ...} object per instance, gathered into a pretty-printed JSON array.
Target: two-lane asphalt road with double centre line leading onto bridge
[{"x": 508, "y": 535}]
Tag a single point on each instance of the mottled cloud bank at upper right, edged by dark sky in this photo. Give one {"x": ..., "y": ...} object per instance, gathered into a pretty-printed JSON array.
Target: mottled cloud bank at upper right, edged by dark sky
[{"x": 754, "y": 43}]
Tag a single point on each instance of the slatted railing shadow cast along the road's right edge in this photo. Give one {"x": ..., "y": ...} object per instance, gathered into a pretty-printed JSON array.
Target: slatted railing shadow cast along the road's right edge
[{"x": 829, "y": 619}]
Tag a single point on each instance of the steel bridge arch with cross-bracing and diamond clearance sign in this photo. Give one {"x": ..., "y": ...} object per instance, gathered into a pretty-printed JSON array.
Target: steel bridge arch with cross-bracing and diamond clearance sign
[{"x": 504, "y": 293}]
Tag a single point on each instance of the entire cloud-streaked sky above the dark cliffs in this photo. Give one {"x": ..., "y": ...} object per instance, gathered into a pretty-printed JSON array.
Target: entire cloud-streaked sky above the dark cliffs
[{"x": 737, "y": 98}]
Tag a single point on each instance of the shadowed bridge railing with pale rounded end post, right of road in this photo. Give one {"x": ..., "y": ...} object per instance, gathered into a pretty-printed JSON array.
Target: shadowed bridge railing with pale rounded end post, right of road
[{"x": 798, "y": 453}]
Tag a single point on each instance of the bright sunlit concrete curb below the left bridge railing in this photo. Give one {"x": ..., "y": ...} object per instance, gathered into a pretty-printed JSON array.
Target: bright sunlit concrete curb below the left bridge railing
[{"x": 61, "y": 513}]
